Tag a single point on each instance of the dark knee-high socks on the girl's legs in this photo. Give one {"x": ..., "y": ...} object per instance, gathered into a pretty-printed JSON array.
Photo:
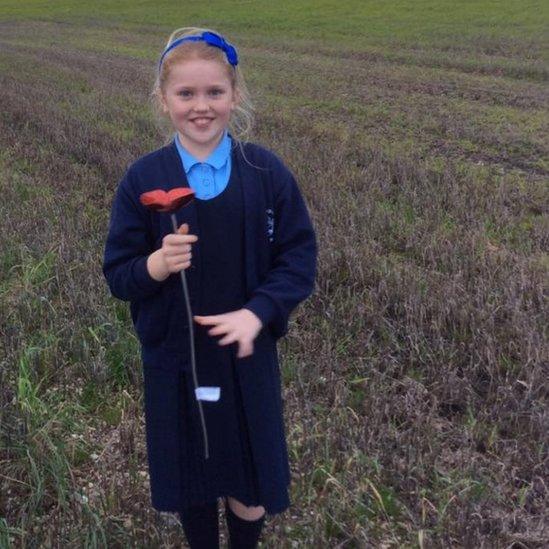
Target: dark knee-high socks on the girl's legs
[{"x": 201, "y": 528}]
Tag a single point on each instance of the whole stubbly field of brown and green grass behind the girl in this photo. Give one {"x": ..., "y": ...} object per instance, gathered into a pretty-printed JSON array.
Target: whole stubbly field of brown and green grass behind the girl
[{"x": 414, "y": 378}]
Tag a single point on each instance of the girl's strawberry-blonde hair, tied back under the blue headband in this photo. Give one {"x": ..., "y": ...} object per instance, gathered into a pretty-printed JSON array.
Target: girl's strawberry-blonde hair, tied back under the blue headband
[{"x": 241, "y": 122}]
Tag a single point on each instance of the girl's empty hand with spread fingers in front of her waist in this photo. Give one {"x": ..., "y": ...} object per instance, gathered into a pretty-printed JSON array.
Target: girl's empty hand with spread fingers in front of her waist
[{"x": 241, "y": 326}]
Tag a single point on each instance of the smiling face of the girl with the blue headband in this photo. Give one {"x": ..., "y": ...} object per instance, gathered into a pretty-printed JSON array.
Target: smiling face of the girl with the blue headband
[{"x": 199, "y": 98}]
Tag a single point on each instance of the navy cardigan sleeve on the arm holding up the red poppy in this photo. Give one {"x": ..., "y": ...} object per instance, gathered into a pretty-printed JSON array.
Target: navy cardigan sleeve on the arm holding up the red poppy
[{"x": 128, "y": 247}]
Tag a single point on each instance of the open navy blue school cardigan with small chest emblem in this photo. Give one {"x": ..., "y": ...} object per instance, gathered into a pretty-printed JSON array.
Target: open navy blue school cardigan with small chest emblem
[{"x": 280, "y": 248}]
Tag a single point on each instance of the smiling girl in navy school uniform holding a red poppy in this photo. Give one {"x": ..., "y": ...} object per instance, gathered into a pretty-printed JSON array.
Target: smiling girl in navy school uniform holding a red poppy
[{"x": 249, "y": 251}]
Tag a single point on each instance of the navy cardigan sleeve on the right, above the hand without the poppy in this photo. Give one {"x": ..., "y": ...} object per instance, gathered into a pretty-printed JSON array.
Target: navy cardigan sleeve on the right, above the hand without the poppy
[{"x": 291, "y": 277}]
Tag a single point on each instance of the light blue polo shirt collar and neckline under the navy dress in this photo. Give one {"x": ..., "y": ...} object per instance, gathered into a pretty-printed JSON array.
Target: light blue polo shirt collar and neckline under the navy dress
[{"x": 207, "y": 178}]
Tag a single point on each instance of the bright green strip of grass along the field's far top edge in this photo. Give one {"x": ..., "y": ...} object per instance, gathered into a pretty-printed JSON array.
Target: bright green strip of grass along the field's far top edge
[{"x": 424, "y": 22}]
